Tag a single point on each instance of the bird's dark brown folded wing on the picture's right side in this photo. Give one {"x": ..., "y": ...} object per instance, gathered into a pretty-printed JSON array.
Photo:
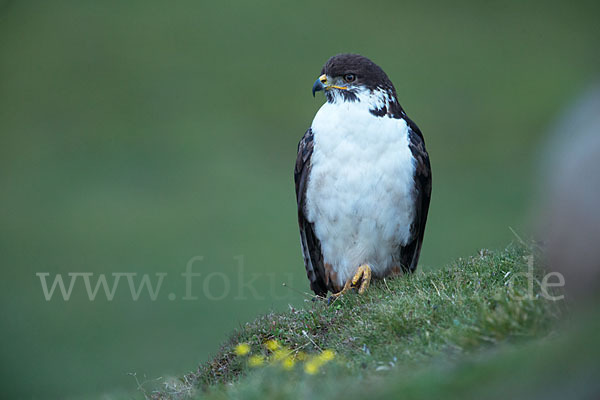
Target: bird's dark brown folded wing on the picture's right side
[{"x": 409, "y": 254}]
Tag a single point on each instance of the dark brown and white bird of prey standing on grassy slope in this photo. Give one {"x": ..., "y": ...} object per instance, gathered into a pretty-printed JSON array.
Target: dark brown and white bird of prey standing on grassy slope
[{"x": 363, "y": 181}]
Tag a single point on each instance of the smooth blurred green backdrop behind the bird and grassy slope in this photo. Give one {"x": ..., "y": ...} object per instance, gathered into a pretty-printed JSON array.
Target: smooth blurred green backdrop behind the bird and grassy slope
[{"x": 136, "y": 135}]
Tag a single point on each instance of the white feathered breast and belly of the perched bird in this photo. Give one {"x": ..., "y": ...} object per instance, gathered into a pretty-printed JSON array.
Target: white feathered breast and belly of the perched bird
[{"x": 360, "y": 194}]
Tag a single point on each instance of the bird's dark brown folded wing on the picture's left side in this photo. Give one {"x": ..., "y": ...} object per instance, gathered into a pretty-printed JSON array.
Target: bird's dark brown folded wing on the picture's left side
[{"x": 311, "y": 247}]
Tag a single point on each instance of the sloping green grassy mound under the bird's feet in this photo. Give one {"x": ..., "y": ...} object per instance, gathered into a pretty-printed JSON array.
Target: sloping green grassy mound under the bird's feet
[{"x": 400, "y": 328}]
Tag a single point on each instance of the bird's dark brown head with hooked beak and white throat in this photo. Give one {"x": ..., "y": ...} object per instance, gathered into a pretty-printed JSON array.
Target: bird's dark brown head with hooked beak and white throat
[{"x": 352, "y": 77}]
